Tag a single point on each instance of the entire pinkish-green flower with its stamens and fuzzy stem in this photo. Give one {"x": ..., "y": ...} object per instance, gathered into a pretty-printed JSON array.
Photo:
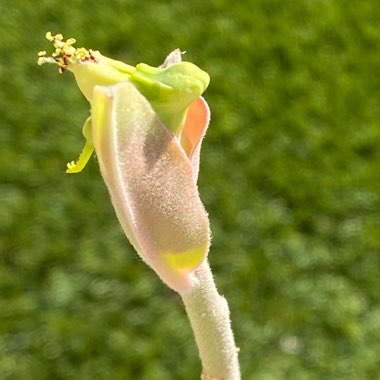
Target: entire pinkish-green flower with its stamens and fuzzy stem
[{"x": 146, "y": 127}]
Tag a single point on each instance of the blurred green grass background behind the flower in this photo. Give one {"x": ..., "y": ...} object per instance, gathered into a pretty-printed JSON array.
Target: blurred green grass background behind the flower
[{"x": 289, "y": 175}]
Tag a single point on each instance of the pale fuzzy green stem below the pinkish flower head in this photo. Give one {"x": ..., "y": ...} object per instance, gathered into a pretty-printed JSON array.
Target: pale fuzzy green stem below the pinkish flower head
[{"x": 210, "y": 320}]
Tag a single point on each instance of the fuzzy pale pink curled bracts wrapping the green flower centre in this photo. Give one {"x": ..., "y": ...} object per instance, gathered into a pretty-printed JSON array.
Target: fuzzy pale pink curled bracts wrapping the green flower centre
[{"x": 152, "y": 182}]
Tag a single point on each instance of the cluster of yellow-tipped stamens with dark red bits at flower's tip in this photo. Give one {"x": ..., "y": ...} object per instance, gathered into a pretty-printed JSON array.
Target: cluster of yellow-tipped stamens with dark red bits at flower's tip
[{"x": 65, "y": 53}]
